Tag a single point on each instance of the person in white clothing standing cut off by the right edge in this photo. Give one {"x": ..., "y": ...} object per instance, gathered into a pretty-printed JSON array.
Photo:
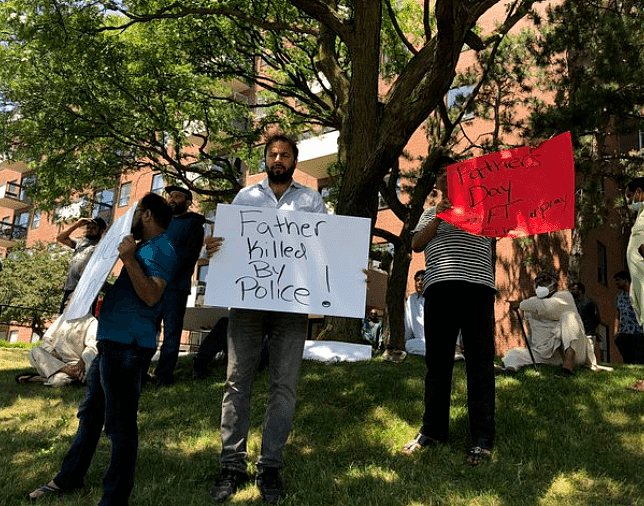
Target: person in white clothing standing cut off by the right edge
[{"x": 635, "y": 248}]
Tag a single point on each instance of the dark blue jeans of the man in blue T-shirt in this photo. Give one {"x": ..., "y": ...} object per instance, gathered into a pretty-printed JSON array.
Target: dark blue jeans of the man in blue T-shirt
[{"x": 111, "y": 399}]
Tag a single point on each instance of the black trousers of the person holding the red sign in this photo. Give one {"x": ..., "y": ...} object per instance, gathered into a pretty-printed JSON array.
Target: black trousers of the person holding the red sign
[{"x": 451, "y": 306}]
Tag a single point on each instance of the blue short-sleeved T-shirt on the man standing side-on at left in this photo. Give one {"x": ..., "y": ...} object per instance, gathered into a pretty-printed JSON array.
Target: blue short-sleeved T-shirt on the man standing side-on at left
[{"x": 124, "y": 317}]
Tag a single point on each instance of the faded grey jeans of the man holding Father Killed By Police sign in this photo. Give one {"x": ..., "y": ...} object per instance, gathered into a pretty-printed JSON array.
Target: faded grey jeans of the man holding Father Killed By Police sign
[{"x": 246, "y": 330}]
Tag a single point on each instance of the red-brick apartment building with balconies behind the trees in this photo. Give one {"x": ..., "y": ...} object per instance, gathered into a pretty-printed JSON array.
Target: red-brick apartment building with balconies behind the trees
[{"x": 603, "y": 249}]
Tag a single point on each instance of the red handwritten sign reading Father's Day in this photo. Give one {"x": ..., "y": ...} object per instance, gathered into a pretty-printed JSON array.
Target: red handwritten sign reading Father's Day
[{"x": 518, "y": 192}]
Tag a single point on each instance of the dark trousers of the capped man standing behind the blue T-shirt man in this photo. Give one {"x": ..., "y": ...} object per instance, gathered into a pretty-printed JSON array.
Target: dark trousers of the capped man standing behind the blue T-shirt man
[{"x": 174, "y": 308}]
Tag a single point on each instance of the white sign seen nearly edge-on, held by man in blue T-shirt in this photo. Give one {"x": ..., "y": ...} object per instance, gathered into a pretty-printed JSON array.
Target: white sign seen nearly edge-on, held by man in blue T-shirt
[{"x": 99, "y": 267}]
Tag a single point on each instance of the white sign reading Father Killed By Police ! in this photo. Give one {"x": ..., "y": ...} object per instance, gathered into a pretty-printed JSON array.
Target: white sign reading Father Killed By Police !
[{"x": 290, "y": 261}]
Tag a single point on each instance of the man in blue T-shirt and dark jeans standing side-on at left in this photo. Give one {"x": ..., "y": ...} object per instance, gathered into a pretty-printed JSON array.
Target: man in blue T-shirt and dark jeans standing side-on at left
[{"x": 127, "y": 331}]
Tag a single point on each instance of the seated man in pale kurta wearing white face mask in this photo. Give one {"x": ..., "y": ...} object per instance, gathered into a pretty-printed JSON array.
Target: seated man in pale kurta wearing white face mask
[{"x": 557, "y": 332}]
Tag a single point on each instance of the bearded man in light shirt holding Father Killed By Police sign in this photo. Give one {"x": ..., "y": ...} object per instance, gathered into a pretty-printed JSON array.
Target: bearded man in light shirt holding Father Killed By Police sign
[{"x": 246, "y": 331}]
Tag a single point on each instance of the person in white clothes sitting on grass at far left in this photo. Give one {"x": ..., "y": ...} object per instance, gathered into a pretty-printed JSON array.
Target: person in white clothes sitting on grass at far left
[{"x": 66, "y": 351}]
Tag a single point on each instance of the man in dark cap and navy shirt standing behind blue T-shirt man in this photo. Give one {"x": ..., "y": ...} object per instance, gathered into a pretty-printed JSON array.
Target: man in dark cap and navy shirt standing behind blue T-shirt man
[{"x": 186, "y": 234}]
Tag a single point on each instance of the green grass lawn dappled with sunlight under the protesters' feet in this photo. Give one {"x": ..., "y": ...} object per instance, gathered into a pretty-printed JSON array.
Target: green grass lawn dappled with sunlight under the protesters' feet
[{"x": 561, "y": 442}]
